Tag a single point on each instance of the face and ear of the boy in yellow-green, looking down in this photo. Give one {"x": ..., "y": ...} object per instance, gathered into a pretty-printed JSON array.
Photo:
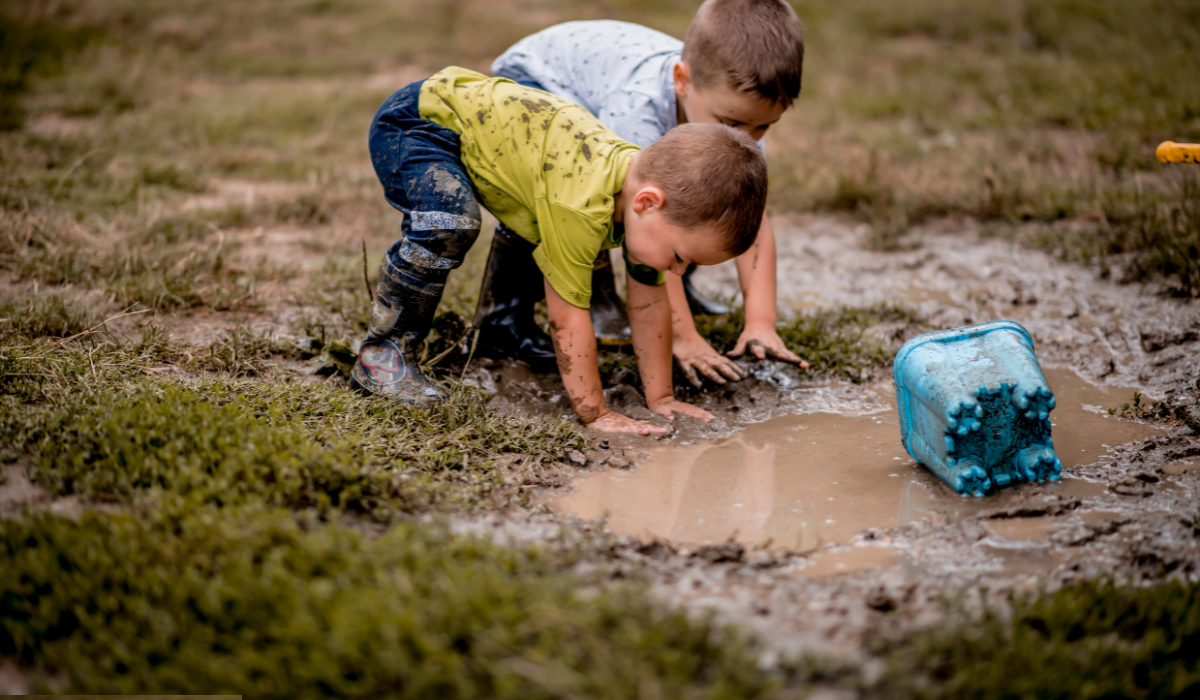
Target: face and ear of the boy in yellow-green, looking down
[{"x": 652, "y": 241}]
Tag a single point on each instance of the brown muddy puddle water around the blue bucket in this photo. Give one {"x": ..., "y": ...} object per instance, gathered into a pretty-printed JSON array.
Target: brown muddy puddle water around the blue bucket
[{"x": 813, "y": 482}]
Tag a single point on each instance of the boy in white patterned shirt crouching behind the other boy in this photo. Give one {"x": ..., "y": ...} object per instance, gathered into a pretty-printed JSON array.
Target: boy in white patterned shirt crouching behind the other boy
[{"x": 741, "y": 65}]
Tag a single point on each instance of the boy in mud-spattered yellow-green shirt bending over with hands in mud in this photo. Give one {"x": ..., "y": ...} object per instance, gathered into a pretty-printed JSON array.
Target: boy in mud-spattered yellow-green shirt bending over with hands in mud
[{"x": 550, "y": 170}]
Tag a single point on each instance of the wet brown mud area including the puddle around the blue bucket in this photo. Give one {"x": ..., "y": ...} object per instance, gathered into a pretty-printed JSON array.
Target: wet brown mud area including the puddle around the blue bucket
[{"x": 825, "y": 548}]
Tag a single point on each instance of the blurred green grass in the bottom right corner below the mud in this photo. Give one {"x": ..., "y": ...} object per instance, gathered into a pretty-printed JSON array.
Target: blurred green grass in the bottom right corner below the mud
[{"x": 1096, "y": 639}]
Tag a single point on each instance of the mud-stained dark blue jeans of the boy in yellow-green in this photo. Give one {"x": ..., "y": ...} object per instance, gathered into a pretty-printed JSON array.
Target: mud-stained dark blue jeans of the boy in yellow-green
[{"x": 421, "y": 167}]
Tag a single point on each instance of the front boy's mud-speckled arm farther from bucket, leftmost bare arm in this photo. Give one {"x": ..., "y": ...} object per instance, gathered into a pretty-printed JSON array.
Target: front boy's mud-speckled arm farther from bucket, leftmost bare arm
[{"x": 575, "y": 348}]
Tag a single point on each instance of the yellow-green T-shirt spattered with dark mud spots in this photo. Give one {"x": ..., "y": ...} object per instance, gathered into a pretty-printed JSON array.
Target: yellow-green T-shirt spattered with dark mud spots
[{"x": 543, "y": 165}]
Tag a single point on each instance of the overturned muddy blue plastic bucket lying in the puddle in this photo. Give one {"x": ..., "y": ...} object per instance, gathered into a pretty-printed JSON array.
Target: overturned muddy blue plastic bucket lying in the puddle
[{"x": 975, "y": 408}]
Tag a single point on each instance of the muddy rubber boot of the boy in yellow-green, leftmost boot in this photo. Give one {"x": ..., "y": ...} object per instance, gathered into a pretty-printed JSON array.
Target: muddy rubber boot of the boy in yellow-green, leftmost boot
[{"x": 400, "y": 320}]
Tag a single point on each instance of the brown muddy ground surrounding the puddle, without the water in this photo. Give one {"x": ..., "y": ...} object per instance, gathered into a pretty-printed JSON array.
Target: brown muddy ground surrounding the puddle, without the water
[{"x": 1127, "y": 514}]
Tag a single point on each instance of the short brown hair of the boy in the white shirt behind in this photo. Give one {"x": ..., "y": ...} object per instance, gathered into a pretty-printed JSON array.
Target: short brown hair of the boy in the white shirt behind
[{"x": 752, "y": 46}]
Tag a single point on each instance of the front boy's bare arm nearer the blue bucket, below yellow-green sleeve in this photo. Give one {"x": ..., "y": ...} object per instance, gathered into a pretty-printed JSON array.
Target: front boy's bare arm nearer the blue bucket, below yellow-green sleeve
[{"x": 650, "y": 319}]
